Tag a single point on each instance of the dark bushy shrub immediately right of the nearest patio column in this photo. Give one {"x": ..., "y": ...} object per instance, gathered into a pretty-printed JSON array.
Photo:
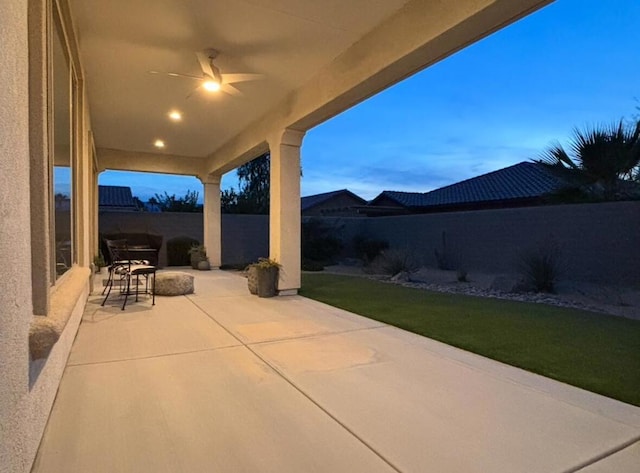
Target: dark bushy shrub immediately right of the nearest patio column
[{"x": 320, "y": 241}]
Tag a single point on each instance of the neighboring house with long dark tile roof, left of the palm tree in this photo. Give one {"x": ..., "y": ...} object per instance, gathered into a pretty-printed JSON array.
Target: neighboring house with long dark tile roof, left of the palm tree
[{"x": 520, "y": 185}]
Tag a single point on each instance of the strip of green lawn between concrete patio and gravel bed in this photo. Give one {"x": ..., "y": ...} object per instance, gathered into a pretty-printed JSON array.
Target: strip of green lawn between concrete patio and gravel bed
[{"x": 596, "y": 352}]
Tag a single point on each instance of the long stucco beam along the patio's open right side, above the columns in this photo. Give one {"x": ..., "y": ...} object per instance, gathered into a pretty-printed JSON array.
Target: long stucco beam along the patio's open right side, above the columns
[{"x": 422, "y": 33}]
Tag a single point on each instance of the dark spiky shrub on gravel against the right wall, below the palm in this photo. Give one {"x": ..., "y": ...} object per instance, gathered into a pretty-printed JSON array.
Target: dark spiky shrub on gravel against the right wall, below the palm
[{"x": 540, "y": 266}]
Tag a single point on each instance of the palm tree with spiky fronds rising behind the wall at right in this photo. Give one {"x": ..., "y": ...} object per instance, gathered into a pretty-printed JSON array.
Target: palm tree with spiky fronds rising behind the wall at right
[{"x": 603, "y": 156}]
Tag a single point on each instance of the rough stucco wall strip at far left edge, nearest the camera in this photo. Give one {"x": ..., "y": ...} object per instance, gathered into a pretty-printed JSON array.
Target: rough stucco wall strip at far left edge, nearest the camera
[{"x": 15, "y": 253}]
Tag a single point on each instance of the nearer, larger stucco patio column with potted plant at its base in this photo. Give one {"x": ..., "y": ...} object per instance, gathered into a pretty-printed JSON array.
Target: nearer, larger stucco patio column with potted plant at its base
[{"x": 284, "y": 213}]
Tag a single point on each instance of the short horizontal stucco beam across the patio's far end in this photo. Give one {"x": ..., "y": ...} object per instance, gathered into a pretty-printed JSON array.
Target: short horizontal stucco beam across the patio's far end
[{"x": 121, "y": 160}]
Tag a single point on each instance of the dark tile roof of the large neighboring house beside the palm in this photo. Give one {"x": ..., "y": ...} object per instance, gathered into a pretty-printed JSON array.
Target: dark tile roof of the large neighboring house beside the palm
[{"x": 521, "y": 181}]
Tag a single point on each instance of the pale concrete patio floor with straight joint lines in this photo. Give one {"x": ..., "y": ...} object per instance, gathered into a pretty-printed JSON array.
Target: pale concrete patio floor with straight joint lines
[{"x": 222, "y": 381}]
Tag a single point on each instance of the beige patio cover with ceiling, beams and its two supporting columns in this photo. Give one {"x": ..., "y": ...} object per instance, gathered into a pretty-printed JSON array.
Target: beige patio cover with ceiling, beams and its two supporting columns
[{"x": 320, "y": 62}]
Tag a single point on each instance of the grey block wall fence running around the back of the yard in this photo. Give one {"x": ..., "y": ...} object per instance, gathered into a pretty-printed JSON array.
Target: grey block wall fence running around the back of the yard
[{"x": 597, "y": 242}]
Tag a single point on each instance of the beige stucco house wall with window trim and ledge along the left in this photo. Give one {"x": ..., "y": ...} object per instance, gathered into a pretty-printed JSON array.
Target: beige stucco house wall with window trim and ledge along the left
[{"x": 29, "y": 296}]
